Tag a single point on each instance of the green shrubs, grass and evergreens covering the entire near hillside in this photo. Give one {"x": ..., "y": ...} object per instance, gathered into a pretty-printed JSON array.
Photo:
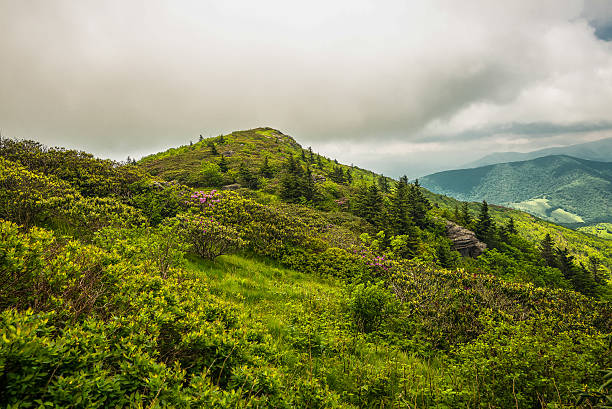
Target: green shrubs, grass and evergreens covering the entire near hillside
[{"x": 315, "y": 284}]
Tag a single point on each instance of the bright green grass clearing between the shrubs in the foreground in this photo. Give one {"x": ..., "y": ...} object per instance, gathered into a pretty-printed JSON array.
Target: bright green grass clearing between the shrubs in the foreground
[{"x": 306, "y": 319}]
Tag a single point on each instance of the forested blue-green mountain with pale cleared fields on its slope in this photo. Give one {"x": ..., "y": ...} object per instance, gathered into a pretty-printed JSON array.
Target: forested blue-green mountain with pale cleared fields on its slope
[{"x": 563, "y": 189}]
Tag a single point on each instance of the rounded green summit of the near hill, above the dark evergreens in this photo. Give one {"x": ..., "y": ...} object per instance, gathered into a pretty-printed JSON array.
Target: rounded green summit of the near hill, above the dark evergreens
[{"x": 198, "y": 164}]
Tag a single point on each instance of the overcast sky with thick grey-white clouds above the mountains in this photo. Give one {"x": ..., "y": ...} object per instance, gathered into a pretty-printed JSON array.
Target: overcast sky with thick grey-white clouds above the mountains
[{"x": 395, "y": 86}]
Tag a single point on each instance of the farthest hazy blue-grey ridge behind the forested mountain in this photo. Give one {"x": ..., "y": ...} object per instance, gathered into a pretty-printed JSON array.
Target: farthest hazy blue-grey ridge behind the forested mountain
[{"x": 600, "y": 150}]
